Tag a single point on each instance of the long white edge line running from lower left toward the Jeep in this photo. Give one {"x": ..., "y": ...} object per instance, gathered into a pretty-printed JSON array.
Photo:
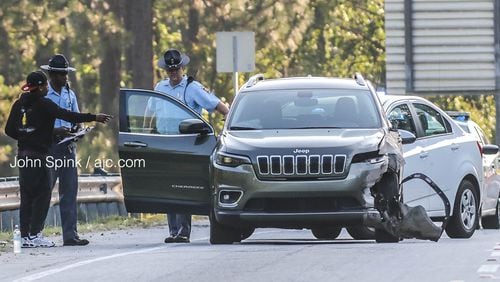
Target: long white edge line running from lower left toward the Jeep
[{"x": 49, "y": 272}]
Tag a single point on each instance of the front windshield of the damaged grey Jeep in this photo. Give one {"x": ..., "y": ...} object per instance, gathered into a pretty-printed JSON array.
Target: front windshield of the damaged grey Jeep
[{"x": 304, "y": 108}]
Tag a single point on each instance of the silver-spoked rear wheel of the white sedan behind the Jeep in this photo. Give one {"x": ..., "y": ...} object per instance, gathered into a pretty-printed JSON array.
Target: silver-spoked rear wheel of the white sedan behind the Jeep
[{"x": 465, "y": 216}]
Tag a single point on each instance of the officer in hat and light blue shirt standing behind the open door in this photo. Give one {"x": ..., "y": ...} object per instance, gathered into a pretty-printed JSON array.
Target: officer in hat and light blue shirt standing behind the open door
[{"x": 195, "y": 96}]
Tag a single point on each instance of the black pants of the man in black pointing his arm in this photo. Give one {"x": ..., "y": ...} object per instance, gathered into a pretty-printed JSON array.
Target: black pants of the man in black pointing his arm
[{"x": 34, "y": 183}]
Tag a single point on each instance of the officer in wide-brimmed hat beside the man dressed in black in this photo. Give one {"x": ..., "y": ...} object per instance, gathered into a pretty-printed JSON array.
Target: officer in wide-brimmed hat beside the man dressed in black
[{"x": 61, "y": 94}]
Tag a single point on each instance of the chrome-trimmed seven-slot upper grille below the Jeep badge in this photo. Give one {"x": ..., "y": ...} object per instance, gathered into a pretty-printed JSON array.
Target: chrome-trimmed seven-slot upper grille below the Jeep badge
[{"x": 311, "y": 165}]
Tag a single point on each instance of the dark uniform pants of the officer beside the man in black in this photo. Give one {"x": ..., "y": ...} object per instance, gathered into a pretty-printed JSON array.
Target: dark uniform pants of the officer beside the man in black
[{"x": 68, "y": 188}]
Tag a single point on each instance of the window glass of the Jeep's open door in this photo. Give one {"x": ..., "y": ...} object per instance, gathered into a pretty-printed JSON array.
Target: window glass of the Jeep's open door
[{"x": 151, "y": 113}]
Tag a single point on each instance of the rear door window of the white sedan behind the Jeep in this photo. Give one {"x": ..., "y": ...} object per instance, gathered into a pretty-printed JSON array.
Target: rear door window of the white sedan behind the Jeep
[{"x": 432, "y": 122}]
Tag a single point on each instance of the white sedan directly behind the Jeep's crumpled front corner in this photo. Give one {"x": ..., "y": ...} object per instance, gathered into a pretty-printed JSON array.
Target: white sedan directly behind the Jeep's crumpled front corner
[{"x": 447, "y": 155}]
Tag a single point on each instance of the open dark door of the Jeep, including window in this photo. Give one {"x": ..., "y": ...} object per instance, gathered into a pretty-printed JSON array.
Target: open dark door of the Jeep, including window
[{"x": 174, "y": 173}]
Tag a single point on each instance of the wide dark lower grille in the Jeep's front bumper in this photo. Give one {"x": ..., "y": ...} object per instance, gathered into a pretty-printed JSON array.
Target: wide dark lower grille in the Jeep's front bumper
[{"x": 314, "y": 204}]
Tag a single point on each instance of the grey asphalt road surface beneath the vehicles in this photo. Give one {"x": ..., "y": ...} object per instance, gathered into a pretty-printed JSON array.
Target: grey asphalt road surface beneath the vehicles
[{"x": 268, "y": 255}]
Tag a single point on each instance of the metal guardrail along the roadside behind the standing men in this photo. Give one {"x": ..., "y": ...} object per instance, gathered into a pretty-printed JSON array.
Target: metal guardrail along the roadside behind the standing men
[{"x": 91, "y": 189}]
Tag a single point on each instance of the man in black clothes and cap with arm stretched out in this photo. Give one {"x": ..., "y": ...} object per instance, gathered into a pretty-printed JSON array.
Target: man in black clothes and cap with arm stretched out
[{"x": 31, "y": 122}]
